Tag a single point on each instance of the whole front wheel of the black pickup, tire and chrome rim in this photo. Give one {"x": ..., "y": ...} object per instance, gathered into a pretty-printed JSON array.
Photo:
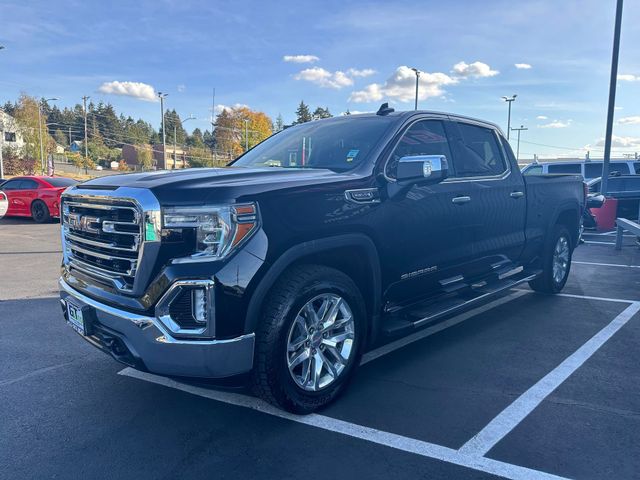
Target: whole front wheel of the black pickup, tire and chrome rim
[{"x": 310, "y": 339}]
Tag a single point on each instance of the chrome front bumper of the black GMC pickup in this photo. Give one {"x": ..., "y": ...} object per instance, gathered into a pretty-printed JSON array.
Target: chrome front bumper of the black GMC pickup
[{"x": 144, "y": 343}]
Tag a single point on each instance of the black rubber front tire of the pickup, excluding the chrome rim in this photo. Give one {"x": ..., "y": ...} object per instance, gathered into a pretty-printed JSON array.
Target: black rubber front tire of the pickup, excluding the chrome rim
[{"x": 272, "y": 380}]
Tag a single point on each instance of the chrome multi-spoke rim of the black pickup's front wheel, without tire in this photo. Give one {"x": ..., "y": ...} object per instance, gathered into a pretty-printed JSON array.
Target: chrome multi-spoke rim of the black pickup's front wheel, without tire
[{"x": 320, "y": 342}]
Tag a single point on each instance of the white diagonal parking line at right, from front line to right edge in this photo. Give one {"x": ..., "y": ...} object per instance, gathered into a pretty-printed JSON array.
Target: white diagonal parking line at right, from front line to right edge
[{"x": 511, "y": 416}]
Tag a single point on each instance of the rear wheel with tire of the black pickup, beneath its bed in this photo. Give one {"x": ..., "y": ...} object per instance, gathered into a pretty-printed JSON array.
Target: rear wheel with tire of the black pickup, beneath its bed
[{"x": 556, "y": 262}]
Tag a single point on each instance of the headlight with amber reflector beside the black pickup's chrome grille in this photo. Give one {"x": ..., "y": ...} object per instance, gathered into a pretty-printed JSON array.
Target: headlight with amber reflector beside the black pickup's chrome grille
[{"x": 218, "y": 229}]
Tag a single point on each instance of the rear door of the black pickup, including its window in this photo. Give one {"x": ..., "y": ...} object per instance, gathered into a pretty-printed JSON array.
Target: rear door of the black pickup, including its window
[{"x": 496, "y": 188}]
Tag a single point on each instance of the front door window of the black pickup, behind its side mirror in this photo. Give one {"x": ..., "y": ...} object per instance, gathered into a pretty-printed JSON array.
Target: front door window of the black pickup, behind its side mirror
[{"x": 426, "y": 137}]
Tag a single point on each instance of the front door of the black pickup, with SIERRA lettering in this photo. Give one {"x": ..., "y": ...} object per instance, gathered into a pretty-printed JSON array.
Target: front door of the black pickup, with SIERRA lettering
[{"x": 426, "y": 239}]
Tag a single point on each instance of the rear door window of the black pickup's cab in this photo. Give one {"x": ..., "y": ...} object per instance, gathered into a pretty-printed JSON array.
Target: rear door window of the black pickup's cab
[{"x": 480, "y": 154}]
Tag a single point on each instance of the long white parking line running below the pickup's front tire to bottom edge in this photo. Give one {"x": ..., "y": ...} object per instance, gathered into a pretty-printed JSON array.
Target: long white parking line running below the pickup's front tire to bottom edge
[{"x": 398, "y": 442}]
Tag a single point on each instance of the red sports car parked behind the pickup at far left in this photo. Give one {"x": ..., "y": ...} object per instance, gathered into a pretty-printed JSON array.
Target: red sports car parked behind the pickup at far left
[{"x": 35, "y": 196}]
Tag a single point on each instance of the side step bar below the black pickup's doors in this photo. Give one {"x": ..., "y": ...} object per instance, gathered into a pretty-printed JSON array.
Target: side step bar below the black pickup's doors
[{"x": 416, "y": 316}]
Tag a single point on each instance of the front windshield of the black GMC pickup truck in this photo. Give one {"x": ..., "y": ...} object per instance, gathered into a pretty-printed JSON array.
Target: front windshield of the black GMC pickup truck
[{"x": 339, "y": 144}]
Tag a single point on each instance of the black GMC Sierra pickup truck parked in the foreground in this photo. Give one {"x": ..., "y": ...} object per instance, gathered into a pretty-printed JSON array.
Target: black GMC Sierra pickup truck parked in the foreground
[{"x": 323, "y": 241}]
